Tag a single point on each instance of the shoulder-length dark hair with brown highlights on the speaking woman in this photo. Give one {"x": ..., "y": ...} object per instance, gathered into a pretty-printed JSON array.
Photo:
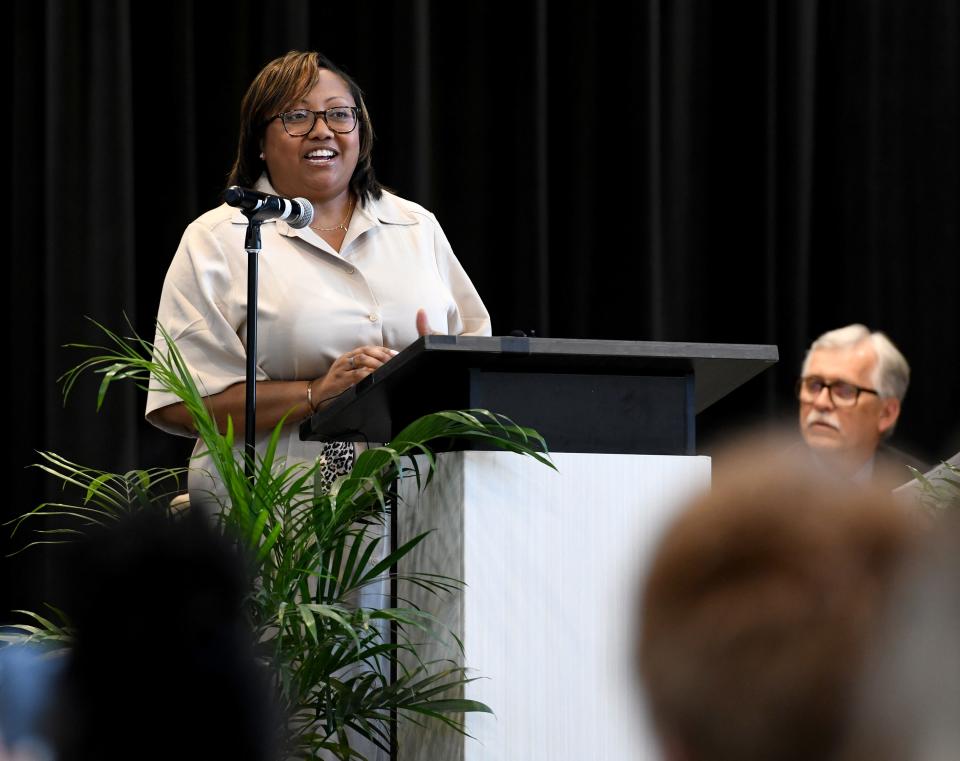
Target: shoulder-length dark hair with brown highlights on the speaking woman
[{"x": 279, "y": 84}]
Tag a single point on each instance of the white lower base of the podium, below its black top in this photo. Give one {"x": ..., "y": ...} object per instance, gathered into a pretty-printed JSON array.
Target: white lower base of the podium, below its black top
[{"x": 552, "y": 562}]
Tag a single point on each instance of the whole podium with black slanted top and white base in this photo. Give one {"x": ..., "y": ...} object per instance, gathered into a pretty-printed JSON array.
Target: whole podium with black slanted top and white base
[{"x": 552, "y": 560}]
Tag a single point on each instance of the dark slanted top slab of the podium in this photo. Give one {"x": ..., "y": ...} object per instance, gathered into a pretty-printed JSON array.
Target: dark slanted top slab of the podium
[{"x": 422, "y": 370}]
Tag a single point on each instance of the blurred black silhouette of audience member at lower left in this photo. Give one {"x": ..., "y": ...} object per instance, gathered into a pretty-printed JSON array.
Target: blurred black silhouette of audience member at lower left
[{"x": 163, "y": 664}]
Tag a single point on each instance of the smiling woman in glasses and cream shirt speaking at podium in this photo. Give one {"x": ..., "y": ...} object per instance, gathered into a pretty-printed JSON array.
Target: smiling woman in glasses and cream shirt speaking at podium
[{"x": 337, "y": 298}]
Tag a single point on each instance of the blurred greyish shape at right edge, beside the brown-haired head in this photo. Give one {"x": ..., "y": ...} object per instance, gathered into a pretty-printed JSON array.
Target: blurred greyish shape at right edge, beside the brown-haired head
[{"x": 909, "y": 701}]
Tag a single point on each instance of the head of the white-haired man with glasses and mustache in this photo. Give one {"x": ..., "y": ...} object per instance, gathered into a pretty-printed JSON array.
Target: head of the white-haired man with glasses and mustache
[{"x": 851, "y": 391}]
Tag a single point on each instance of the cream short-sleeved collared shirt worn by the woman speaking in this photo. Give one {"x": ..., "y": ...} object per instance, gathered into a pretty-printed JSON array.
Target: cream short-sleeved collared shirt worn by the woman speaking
[{"x": 315, "y": 304}]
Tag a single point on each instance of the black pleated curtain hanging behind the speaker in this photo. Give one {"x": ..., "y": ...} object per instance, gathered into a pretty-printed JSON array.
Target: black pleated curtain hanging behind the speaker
[{"x": 754, "y": 171}]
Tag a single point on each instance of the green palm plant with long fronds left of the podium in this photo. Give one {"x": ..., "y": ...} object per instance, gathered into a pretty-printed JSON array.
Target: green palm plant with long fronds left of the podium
[{"x": 313, "y": 549}]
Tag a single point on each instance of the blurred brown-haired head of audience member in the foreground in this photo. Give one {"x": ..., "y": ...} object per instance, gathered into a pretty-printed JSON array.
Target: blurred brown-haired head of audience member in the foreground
[{"x": 757, "y": 610}]
